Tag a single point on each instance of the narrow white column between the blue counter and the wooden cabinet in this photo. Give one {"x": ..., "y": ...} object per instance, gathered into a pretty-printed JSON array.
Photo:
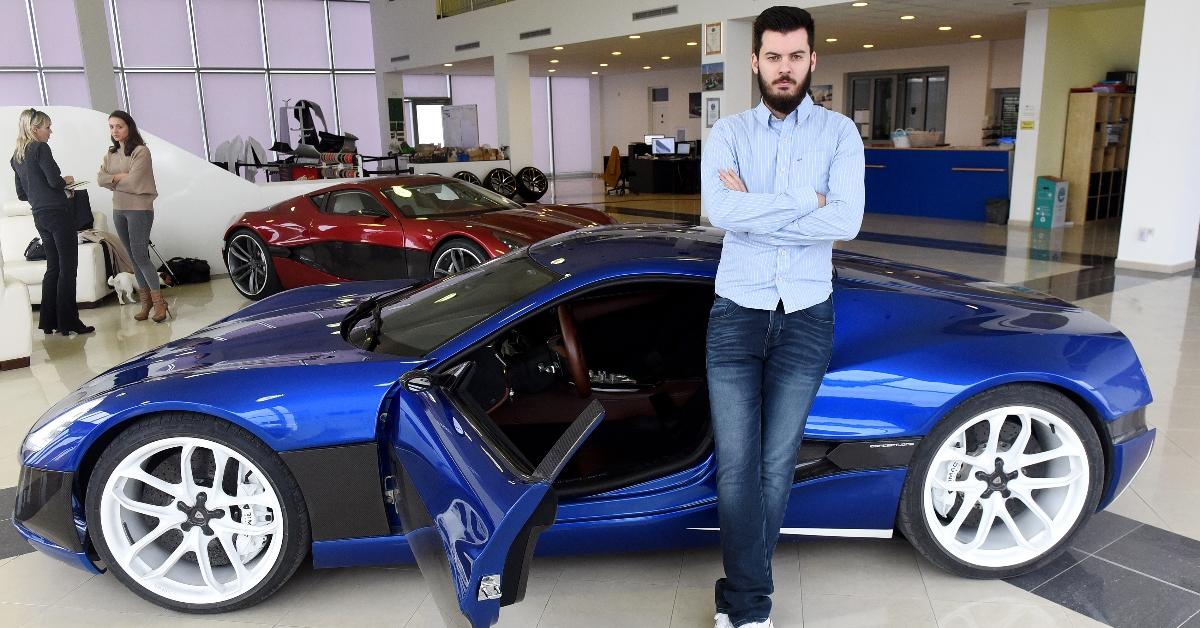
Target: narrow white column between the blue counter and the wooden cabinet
[{"x": 1025, "y": 160}]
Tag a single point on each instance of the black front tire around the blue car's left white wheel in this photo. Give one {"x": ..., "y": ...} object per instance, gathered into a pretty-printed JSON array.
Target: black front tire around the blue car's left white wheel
[{"x": 296, "y": 530}]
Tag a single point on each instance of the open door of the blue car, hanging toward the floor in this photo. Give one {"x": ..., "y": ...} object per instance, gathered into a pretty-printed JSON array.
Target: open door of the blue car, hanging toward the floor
[{"x": 472, "y": 506}]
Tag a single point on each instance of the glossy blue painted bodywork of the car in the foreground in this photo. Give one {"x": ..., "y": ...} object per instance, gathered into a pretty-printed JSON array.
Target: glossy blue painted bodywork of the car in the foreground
[{"x": 911, "y": 344}]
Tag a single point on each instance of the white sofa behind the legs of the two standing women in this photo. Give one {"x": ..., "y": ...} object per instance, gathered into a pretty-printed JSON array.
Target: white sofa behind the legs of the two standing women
[{"x": 17, "y": 230}]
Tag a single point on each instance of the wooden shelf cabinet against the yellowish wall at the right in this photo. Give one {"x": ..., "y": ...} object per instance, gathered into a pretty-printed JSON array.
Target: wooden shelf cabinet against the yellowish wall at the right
[{"x": 1097, "y": 154}]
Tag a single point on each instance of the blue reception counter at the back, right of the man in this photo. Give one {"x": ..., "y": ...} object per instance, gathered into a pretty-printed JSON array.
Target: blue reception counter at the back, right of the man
[{"x": 943, "y": 183}]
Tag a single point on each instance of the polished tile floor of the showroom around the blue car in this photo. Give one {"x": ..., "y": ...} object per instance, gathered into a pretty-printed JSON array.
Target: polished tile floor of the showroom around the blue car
[{"x": 1137, "y": 565}]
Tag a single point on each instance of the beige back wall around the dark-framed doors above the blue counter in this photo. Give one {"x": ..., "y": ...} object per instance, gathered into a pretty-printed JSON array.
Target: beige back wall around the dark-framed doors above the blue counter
[{"x": 968, "y": 100}]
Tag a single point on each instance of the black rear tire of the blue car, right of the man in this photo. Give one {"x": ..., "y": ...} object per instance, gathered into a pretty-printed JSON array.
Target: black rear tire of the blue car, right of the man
[{"x": 915, "y": 527}]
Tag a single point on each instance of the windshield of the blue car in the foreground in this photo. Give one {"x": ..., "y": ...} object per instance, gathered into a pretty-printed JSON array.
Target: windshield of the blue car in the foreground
[{"x": 417, "y": 324}]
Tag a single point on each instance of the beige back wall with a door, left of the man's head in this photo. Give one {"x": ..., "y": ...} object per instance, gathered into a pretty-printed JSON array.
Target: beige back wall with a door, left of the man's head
[{"x": 626, "y": 100}]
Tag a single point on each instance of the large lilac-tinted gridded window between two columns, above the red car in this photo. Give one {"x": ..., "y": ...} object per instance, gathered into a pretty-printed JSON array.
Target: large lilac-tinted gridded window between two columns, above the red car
[{"x": 202, "y": 73}]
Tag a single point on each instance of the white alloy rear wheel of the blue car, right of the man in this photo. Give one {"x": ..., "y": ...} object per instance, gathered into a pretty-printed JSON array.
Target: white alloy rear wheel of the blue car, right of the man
[{"x": 1007, "y": 487}]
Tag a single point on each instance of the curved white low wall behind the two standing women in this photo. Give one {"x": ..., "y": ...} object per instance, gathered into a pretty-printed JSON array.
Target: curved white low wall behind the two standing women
[{"x": 196, "y": 202}]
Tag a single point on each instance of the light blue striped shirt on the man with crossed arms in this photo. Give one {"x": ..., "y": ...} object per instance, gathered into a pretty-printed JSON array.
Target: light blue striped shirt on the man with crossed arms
[{"x": 778, "y": 242}]
